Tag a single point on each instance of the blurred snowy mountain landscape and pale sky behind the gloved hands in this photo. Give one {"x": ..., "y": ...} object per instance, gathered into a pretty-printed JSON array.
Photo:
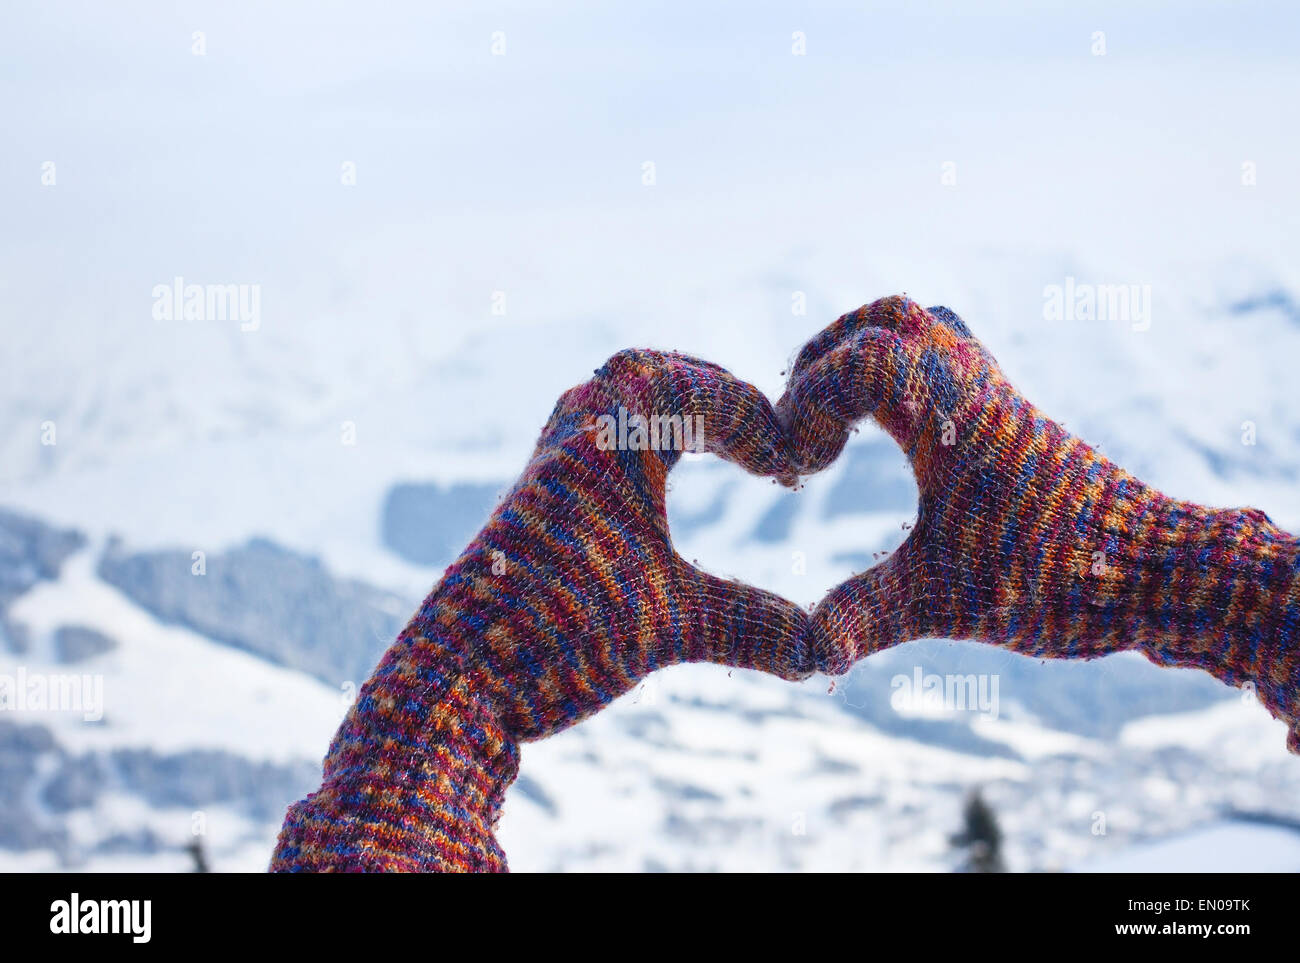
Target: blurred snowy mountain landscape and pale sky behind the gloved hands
[{"x": 450, "y": 214}]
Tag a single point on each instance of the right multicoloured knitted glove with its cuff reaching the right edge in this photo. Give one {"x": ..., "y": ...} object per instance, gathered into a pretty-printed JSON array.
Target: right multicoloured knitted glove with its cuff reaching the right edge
[{"x": 1026, "y": 537}]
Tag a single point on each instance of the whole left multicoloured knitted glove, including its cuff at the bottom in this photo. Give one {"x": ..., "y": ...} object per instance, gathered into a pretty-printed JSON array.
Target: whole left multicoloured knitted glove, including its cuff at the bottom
[{"x": 567, "y": 598}]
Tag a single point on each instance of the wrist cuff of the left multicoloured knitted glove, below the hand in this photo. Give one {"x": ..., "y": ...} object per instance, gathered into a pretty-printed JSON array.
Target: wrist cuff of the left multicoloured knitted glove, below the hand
[{"x": 414, "y": 778}]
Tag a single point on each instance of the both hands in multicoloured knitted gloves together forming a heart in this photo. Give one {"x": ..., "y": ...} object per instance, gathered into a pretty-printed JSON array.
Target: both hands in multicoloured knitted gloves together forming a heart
[{"x": 573, "y": 592}]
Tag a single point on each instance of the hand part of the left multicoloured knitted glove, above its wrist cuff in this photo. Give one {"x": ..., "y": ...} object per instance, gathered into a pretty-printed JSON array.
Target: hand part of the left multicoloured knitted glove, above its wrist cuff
[{"x": 573, "y": 593}]
